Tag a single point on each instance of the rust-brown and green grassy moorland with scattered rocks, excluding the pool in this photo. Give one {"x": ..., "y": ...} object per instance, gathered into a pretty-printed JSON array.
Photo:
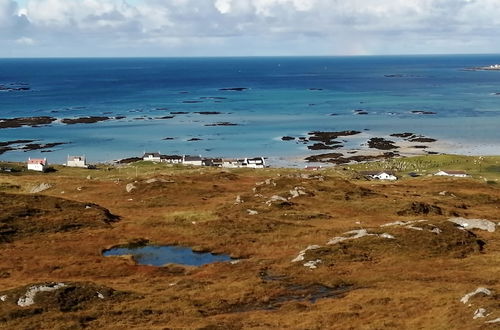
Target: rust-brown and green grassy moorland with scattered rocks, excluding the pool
[{"x": 396, "y": 277}]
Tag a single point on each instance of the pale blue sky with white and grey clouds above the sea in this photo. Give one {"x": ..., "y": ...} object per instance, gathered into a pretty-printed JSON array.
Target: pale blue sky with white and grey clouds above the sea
[{"x": 163, "y": 28}]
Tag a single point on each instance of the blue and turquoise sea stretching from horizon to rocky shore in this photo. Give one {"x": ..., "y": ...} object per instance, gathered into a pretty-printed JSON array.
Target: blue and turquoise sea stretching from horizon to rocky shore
[{"x": 285, "y": 96}]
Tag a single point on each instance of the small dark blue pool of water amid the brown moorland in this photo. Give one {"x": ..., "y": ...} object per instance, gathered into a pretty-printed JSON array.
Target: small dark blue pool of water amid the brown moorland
[{"x": 153, "y": 255}]
